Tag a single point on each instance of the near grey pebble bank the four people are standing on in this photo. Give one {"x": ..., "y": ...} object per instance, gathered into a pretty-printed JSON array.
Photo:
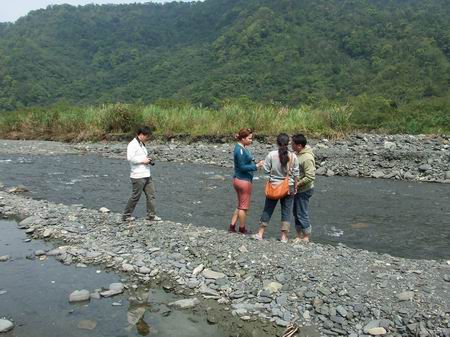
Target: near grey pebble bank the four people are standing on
[{"x": 330, "y": 291}]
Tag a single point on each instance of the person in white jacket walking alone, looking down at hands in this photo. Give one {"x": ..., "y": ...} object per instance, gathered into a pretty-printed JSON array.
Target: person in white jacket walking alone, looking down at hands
[{"x": 141, "y": 179}]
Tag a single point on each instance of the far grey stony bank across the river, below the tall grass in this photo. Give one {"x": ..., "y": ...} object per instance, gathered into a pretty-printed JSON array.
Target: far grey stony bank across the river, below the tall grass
[{"x": 404, "y": 157}]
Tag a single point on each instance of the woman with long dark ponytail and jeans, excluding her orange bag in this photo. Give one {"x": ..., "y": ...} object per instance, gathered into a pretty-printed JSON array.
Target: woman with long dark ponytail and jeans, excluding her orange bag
[{"x": 278, "y": 165}]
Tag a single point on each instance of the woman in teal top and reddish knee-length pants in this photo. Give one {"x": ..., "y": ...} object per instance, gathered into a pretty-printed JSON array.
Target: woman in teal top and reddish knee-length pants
[{"x": 244, "y": 166}]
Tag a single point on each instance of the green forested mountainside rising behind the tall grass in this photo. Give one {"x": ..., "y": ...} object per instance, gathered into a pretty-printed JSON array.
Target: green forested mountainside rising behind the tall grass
[{"x": 290, "y": 52}]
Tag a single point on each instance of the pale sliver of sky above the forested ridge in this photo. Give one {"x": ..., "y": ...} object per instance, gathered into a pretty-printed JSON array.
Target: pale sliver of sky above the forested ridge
[{"x": 11, "y": 10}]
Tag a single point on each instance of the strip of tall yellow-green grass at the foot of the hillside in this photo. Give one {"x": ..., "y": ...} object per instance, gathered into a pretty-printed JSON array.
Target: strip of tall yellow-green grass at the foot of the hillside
[{"x": 168, "y": 119}]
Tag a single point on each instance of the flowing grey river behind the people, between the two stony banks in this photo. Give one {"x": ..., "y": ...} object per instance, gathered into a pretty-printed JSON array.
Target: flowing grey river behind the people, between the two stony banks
[{"x": 406, "y": 219}]
